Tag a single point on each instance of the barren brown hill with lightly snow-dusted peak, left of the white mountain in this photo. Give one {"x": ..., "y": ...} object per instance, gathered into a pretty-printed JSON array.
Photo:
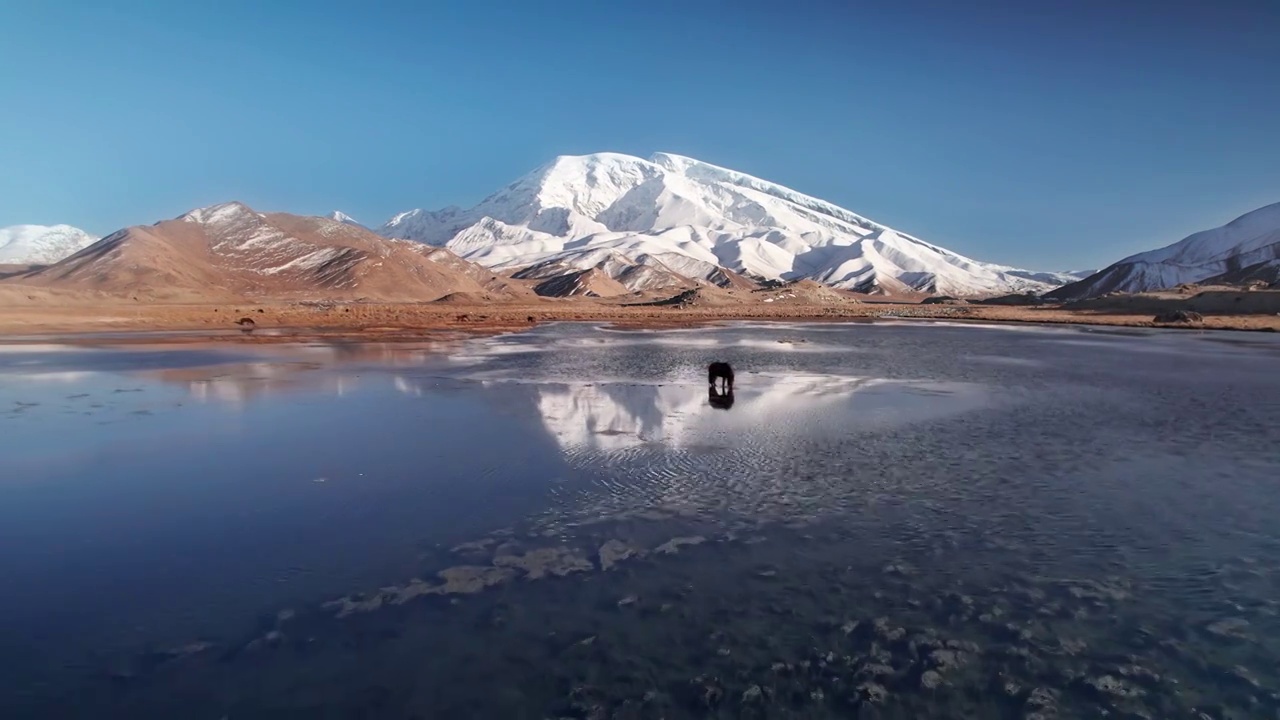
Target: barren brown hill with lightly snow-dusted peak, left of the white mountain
[{"x": 230, "y": 252}]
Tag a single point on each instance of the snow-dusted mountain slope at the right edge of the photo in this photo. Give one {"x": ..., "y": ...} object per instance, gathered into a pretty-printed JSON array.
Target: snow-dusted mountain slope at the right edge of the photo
[{"x": 1250, "y": 240}]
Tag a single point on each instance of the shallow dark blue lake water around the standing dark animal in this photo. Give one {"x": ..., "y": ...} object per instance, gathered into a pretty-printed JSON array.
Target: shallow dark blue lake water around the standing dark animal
[{"x": 888, "y": 521}]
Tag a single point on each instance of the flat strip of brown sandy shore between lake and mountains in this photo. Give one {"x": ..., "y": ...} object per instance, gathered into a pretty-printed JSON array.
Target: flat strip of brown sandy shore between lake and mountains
[{"x": 285, "y": 322}]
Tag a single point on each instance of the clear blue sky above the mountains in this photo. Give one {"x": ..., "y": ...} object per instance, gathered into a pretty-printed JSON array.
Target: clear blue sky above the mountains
[{"x": 1044, "y": 134}]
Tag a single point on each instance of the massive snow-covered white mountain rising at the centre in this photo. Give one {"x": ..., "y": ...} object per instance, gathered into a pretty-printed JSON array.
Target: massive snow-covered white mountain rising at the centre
[{"x": 671, "y": 207}]
